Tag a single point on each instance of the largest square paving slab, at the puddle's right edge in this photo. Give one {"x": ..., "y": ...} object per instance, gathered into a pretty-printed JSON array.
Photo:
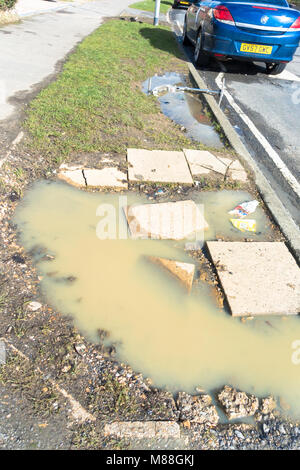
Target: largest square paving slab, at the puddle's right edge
[{"x": 258, "y": 278}]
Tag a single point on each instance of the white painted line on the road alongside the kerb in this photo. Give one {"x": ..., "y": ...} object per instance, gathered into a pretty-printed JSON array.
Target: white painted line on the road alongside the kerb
[{"x": 289, "y": 177}]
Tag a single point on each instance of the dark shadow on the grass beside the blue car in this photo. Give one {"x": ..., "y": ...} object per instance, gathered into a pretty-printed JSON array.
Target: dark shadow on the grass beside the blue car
[{"x": 162, "y": 39}]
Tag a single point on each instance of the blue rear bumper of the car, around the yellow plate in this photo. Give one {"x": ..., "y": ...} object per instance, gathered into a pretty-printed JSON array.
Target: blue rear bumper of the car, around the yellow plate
[{"x": 226, "y": 40}]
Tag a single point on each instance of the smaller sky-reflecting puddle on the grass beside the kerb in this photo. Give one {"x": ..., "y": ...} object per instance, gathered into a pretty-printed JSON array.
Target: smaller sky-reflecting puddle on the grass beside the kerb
[{"x": 185, "y": 109}]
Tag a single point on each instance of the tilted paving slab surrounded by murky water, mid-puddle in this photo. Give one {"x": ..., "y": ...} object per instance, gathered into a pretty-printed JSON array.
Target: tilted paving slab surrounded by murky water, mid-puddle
[{"x": 167, "y": 220}]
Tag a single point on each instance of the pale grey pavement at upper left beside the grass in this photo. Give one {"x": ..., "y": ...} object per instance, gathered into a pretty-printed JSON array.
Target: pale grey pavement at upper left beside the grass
[{"x": 39, "y": 42}]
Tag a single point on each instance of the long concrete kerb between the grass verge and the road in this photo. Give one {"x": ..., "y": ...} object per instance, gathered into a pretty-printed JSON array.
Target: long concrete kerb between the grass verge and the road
[{"x": 286, "y": 224}]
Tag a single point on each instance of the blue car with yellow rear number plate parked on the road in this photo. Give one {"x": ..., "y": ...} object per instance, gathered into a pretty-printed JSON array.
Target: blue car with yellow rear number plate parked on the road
[{"x": 261, "y": 31}]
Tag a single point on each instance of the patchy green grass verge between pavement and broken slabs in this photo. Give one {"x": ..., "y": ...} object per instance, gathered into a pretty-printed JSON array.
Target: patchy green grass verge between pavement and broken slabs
[{"x": 96, "y": 104}]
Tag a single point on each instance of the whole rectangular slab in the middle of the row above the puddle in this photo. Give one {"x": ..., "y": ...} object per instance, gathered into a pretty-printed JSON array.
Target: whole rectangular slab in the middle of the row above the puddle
[{"x": 158, "y": 166}]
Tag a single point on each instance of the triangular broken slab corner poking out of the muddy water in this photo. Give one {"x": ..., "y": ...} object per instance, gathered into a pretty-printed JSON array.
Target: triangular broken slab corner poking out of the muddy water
[{"x": 183, "y": 272}]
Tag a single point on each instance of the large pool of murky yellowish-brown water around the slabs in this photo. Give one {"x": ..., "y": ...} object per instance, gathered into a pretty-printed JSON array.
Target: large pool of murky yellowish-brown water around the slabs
[{"x": 179, "y": 341}]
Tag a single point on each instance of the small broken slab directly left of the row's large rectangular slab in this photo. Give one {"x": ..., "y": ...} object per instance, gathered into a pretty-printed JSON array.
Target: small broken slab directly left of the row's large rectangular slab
[{"x": 109, "y": 177}]
